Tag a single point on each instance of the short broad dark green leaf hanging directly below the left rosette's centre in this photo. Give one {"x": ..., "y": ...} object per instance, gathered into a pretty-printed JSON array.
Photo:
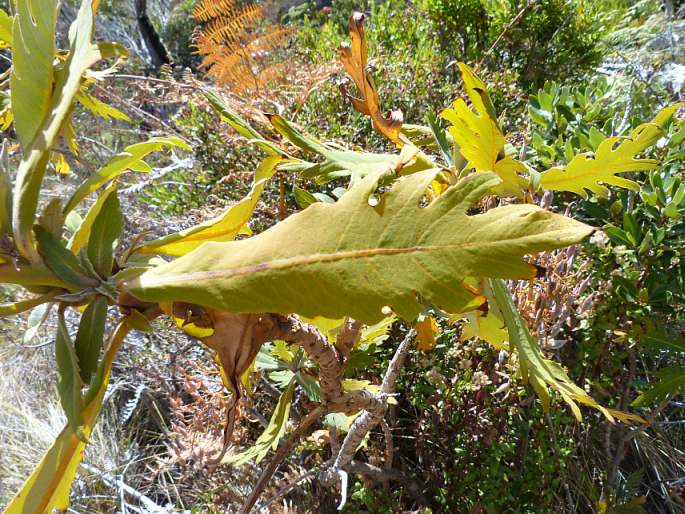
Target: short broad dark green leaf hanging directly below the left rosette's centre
[{"x": 90, "y": 336}]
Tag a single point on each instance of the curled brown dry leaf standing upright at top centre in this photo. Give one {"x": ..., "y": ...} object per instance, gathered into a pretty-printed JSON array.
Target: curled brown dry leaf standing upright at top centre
[{"x": 354, "y": 59}]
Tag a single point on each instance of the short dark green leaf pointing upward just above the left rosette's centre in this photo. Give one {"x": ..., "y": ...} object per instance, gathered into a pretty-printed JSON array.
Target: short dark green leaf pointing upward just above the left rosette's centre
[{"x": 106, "y": 229}]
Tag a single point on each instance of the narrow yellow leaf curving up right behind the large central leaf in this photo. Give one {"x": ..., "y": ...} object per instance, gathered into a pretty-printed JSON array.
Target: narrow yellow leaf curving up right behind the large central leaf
[{"x": 222, "y": 228}]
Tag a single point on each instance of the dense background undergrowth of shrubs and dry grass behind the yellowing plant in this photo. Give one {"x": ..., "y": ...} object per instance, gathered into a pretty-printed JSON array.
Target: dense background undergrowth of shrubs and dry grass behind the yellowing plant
[{"x": 466, "y": 433}]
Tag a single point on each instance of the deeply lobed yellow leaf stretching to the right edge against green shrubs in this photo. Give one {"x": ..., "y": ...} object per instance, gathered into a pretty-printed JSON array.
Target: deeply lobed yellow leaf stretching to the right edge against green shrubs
[{"x": 588, "y": 172}]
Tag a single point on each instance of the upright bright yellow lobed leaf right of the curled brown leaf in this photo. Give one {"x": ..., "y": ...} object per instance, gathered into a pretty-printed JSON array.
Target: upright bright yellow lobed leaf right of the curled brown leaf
[{"x": 478, "y": 134}]
